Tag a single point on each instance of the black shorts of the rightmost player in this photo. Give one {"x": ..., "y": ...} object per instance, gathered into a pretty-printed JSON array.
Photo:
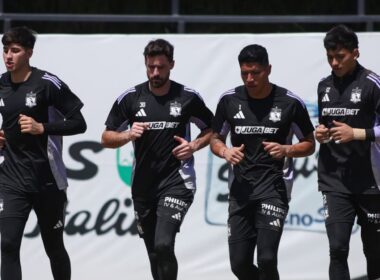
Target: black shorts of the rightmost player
[{"x": 343, "y": 208}]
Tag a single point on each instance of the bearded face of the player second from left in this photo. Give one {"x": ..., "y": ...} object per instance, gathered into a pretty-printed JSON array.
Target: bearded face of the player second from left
[{"x": 158, "y": 70}]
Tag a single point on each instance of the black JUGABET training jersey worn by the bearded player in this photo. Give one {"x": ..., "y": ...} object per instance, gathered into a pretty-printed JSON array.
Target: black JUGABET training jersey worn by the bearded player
[{"x": 156, "y": 170}]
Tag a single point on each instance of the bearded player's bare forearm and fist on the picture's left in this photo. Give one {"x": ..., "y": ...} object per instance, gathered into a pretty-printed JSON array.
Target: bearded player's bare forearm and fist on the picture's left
[{"x": 116, "y": 139}]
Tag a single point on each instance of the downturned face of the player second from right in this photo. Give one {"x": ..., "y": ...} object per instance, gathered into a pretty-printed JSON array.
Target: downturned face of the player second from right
[{"x": 255, "y": 76}]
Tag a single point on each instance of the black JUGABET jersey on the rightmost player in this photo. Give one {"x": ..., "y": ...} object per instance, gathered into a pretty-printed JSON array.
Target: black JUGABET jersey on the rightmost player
[{"x": 352, "y": 167}]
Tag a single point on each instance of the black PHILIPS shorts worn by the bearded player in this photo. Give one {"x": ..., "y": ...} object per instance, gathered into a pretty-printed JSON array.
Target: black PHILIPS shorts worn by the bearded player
[{"x": 171, "y": 209}]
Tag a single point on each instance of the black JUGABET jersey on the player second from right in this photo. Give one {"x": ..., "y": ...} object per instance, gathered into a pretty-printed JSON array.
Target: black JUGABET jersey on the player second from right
[{"x": 252, "y": 121}]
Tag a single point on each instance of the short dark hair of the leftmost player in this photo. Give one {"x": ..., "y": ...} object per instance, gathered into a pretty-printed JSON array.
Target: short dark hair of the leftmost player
[{"x": 21, "y": 35}]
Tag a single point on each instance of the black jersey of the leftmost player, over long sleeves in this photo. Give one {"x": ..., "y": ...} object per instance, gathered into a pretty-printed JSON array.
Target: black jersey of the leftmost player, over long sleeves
[{"x": 32, "y": 162}]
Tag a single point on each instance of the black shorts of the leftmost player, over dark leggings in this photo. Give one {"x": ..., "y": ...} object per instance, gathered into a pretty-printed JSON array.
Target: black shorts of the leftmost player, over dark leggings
[{"x": 49, "y": 202}]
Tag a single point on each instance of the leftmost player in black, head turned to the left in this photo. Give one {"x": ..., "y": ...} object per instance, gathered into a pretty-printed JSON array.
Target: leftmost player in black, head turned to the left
[{"x": 37, "y": 110}]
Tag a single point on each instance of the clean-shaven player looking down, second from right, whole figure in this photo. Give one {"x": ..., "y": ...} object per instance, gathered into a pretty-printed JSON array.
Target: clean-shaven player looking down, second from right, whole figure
[{"x": 259, "y": 116}]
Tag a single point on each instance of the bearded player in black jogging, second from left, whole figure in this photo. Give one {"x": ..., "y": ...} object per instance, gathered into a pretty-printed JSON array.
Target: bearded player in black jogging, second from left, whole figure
[{"x": 155, "y": 116}]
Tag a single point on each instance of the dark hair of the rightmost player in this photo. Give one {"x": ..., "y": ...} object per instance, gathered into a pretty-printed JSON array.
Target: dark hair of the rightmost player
[{"x": 341, "y": 36}]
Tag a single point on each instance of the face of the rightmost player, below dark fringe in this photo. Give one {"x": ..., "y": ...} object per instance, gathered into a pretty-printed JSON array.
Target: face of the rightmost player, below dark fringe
[{"x": 342, "y": 61}]
